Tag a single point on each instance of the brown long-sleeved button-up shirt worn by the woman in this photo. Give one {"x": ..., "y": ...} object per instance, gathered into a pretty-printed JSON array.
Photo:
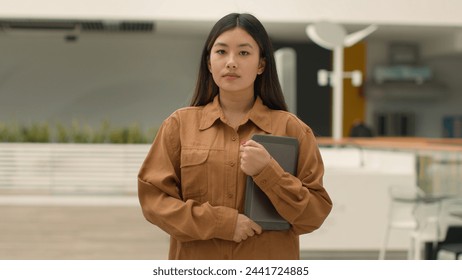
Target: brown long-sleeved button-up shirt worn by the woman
[{"x": 191, "y": 186}]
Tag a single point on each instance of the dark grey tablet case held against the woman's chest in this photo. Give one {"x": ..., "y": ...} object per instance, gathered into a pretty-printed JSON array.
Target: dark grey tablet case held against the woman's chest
[{"x": 258, "y": 207}]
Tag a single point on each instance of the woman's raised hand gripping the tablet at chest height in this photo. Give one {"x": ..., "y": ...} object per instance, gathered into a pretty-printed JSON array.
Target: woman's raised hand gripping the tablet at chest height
[{"x": 254, "y": 157}]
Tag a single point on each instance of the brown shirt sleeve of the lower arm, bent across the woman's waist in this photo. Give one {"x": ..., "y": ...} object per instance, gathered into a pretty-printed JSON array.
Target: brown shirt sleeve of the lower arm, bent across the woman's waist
[{"x": 160, "y": 196}]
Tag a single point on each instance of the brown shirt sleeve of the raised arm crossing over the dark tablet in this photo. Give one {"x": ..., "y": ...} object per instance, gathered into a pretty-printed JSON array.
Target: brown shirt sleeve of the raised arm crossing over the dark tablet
[{"x": 302, "y": 199}]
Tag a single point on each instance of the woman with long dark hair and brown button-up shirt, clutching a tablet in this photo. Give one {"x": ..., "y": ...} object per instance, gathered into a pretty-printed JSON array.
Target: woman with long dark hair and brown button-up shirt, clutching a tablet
[{"x": 192, "y": 182}]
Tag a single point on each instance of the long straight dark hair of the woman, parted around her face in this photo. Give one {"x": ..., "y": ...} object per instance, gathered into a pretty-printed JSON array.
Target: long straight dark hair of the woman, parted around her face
[{"x": 266, "y": 84}]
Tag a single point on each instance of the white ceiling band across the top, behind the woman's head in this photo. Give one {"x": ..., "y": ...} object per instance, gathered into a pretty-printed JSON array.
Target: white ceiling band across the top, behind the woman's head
[{"x": 410, "y": 20}]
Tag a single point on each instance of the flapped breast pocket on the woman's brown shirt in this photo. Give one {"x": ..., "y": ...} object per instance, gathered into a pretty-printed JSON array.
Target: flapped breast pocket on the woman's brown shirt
[{"x": 194, "y": 174}]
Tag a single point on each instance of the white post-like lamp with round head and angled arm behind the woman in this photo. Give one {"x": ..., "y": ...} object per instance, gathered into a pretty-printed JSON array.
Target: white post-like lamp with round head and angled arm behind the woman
[{"x": 333, "y": 36}]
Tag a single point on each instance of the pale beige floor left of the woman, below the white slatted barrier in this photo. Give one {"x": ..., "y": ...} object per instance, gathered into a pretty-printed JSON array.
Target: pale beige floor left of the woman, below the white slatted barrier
[{"x": 50, "y": 228}]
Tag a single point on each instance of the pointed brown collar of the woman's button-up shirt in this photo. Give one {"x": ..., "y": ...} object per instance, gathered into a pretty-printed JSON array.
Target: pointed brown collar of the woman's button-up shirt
[{"x": 259, "y": 115}]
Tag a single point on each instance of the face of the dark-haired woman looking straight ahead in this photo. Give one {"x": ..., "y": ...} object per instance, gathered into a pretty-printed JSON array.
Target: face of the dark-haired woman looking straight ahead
[{"x": 235, "y": 61}]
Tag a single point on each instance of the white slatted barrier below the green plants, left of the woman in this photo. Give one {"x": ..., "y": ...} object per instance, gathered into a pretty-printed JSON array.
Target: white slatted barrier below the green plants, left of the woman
[{"x": 78, "y": 168}]
